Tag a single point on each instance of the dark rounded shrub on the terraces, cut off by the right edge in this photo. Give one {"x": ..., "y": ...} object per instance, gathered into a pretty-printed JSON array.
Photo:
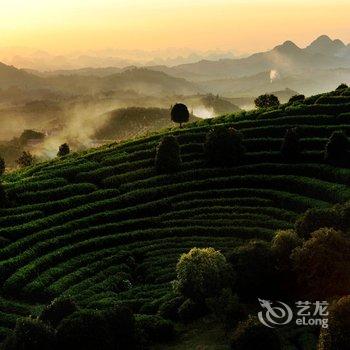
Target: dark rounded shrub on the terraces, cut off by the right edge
[{"x": 337, "y": 149}]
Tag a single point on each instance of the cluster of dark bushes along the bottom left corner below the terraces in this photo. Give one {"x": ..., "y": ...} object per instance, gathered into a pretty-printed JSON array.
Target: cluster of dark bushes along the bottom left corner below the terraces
[{"x": 62, "y": 325}]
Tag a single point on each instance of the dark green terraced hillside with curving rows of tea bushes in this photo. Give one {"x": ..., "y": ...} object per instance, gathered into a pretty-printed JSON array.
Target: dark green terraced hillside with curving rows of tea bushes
[{"x": 102, "y": 226}]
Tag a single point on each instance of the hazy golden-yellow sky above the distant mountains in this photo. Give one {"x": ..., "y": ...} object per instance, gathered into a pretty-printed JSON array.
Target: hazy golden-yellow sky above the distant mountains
[{"x": 242, "y": 25}]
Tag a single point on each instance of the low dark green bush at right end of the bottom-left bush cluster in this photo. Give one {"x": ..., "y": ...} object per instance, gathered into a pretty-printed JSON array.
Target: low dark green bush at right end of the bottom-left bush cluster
[{"x": 155, "y": 328}]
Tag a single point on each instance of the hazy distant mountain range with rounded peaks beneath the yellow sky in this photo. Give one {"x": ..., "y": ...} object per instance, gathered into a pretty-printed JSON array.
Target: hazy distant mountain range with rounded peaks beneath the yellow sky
[{"x": 316, "y": 68}]
